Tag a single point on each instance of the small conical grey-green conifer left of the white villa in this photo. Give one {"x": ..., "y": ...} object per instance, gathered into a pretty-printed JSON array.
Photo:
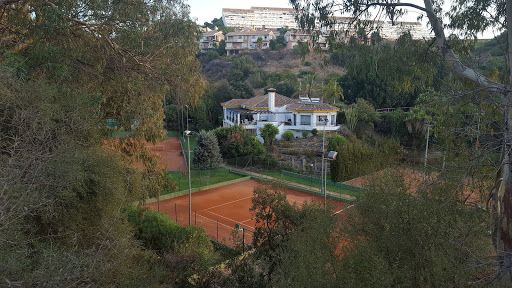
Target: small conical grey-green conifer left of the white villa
[{"x": 207, "y": 152}]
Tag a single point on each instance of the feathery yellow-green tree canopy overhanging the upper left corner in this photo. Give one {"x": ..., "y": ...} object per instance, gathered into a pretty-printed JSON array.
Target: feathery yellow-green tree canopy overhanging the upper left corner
[{"x": 130, "y": 55}]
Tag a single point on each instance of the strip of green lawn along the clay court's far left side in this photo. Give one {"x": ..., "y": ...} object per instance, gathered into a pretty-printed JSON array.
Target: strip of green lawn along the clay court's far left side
[{"x": 200, "y": 178}]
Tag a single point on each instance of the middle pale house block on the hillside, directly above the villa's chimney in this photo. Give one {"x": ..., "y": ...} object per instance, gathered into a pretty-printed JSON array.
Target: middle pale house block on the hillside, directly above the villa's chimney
[{"x": 248, "y": 40}]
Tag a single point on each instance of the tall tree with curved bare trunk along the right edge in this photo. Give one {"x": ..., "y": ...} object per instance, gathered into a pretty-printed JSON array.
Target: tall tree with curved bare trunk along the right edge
[{"x": 470, "y": 17}]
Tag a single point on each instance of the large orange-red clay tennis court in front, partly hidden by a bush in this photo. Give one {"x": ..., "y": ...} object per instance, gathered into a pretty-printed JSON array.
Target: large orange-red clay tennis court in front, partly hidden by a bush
[{"x": 219, "y": 209}]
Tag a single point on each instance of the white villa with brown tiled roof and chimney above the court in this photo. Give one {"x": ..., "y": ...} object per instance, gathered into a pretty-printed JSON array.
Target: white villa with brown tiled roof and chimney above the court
[{"x": 296, "y": 115}]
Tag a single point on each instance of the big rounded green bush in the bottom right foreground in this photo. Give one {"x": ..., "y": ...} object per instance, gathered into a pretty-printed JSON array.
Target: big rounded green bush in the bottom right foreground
[{"x": 394, "y": 238}]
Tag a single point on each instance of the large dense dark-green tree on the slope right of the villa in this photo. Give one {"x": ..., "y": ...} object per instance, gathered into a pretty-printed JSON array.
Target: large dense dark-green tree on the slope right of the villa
[{"x": 389, "y": 75}]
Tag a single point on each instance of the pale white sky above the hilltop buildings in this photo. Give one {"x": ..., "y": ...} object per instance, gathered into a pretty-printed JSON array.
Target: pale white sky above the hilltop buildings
[{"x": 206, "y": 10}]
